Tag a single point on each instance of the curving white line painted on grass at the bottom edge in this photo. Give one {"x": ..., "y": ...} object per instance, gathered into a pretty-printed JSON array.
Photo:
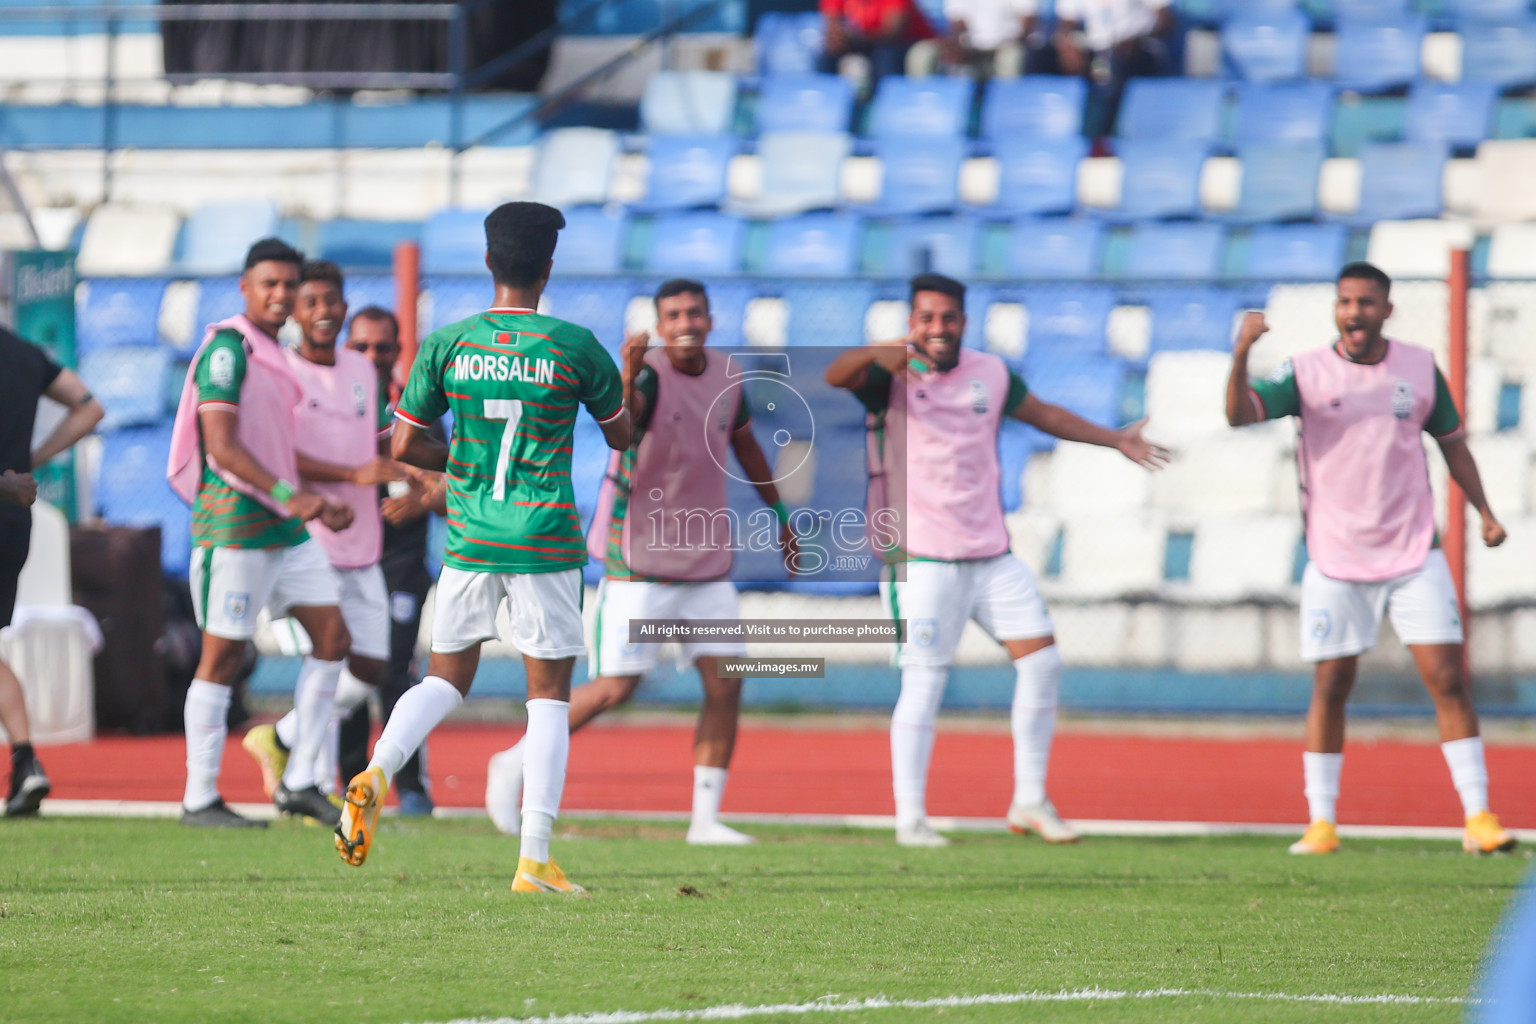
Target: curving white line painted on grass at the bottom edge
[{"x": 830, "y": 1005}]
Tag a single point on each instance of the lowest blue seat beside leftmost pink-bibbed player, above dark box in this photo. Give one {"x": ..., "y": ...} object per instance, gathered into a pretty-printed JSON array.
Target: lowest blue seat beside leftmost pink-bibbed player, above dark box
[{"x": 131, "y": 491}]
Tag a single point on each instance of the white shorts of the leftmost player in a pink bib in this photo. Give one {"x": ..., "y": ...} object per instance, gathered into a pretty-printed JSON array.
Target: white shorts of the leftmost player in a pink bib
[{"x": 231, "y": 586}]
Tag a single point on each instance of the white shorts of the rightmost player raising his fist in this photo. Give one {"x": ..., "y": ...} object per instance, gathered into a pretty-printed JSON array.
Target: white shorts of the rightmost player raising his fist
[{"x": 1342, "y": 619}]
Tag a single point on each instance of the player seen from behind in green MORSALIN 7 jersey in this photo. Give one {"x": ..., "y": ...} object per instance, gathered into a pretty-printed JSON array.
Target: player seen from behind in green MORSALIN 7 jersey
[{"x": 514, "y": 382}]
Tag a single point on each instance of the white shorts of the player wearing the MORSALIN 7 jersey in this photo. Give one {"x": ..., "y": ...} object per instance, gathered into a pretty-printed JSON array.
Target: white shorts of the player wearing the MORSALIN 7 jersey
[{"x": 545, "y": 610}]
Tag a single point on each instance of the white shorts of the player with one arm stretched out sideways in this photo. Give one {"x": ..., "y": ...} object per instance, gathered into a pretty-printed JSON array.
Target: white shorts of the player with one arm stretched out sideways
[{"x": 939, "y": 598}]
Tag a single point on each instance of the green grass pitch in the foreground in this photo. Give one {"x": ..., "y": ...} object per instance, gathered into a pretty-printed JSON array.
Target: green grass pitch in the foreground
[{"x": 134, "y": 920}]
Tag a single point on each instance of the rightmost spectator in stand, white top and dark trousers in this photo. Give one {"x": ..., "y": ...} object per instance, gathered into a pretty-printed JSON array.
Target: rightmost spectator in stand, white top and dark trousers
[{"x": 1110, "y": 42}]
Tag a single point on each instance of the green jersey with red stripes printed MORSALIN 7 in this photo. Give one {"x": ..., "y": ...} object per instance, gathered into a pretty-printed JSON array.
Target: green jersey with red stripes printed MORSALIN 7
[{"x": 514, "y": 382}]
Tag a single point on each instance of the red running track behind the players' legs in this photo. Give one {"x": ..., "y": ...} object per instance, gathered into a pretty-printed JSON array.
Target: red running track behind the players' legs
[{"x": 795, "y": 770}]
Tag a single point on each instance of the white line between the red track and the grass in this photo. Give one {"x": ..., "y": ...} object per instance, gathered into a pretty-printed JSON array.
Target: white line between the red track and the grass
[{"x": 1085, "y": 827}]
